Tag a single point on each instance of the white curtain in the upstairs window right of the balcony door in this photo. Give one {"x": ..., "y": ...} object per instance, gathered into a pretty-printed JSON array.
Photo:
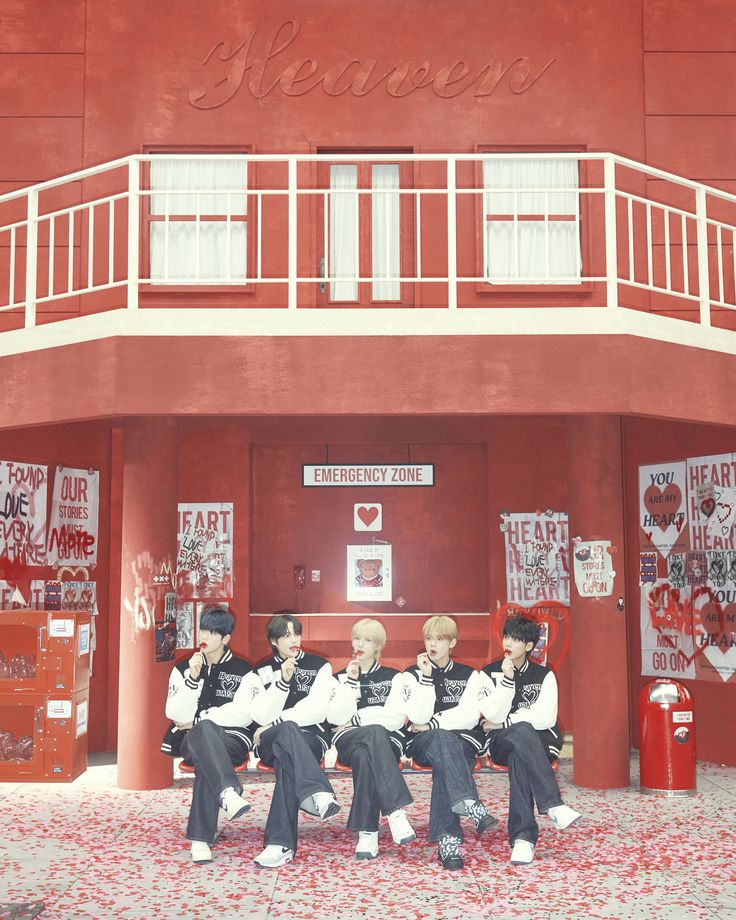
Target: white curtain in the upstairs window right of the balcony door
[{"x": 521, "y": 249}]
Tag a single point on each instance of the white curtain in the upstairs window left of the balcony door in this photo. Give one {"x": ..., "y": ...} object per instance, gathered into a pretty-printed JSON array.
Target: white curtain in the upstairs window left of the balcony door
[{"x": 186, "y": 250}]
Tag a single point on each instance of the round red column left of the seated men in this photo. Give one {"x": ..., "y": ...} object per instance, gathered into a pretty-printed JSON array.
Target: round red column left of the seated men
[{"x": 149, "y": 503}]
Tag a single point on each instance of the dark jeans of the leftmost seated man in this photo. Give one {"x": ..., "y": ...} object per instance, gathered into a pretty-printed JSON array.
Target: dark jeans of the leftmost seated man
[{"x": 213, "y": 753}]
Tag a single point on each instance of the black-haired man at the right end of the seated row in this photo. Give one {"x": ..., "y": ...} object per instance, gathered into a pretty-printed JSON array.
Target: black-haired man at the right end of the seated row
[{"x": 518, "y": 702}]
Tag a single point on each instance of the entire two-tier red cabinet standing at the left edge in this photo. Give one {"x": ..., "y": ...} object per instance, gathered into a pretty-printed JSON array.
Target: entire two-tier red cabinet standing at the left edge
[{"x": 44, "y": 694}]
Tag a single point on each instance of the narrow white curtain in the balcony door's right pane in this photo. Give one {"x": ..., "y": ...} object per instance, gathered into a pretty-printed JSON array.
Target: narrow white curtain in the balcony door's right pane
[{"x": 386, "y": 247}]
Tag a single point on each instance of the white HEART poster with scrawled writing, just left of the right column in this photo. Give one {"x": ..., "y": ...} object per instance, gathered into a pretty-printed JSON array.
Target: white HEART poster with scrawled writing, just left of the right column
[{"x": 537, "y": 561}]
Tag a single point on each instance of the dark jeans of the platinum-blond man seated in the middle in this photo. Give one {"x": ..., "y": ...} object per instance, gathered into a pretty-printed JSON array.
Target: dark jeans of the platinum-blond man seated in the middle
[{"x": 378, "y": 786}]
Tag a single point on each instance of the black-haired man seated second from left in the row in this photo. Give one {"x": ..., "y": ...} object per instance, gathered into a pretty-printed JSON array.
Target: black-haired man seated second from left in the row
[{"x": 292, "y": 737}]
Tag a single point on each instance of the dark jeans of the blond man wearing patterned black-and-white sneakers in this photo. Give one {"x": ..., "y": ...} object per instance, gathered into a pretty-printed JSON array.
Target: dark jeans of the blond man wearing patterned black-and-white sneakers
[{"x": 452, "y": 759}]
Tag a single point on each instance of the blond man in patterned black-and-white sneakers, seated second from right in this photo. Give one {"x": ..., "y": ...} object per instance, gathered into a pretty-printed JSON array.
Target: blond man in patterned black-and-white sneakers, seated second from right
[{"x": 444, "y": 734}]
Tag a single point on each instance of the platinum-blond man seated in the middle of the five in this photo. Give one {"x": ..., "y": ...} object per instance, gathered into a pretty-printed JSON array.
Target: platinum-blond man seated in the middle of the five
[{"x": 368, "y": 709}]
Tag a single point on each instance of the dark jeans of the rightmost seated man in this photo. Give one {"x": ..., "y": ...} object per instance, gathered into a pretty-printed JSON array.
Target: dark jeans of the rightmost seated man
[{"x": 530, "y": 778}]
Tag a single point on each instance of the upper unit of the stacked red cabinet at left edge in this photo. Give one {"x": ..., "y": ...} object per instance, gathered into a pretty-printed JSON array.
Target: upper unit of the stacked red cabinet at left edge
[{"x": 44, "y": 650}]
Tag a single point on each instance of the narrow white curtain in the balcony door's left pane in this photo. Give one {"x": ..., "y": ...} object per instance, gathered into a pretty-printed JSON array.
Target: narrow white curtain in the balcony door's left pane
[{"x": 343, "y": 232}]
